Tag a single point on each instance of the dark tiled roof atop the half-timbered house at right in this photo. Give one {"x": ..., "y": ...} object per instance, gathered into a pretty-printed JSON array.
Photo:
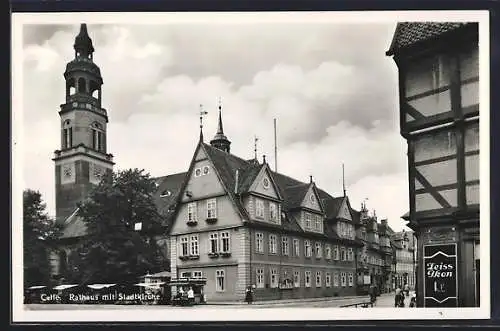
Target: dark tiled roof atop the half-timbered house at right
[{"x": 410, "y": 33}]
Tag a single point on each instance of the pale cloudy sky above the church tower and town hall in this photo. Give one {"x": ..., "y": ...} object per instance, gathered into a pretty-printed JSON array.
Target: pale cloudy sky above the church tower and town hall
[{"x": 331, "y": 88}]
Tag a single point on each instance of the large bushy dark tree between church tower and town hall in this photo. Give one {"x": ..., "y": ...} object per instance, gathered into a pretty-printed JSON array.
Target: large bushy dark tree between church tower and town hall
[{"x": 113, "y": 251}]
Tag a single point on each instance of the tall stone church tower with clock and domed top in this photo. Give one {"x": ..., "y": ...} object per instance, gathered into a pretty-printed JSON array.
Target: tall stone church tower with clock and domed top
[{"x": 83, "y": 157}]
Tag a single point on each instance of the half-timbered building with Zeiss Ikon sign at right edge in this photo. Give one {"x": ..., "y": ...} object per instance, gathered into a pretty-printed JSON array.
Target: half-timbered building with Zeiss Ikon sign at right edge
[{"x": 438, "y": 67}]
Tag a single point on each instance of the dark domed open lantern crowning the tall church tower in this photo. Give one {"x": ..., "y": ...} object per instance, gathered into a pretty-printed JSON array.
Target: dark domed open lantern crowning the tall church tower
[{"x": 83, "y": 76}]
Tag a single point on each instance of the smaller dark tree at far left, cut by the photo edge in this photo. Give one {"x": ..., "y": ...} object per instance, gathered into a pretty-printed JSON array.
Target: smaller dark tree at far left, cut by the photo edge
[{"x": 38, "y": 231}]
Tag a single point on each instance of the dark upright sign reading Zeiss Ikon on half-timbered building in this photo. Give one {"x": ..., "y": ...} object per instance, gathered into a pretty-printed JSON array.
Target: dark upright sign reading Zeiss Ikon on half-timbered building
[{"x": 440, "y": 275}]
